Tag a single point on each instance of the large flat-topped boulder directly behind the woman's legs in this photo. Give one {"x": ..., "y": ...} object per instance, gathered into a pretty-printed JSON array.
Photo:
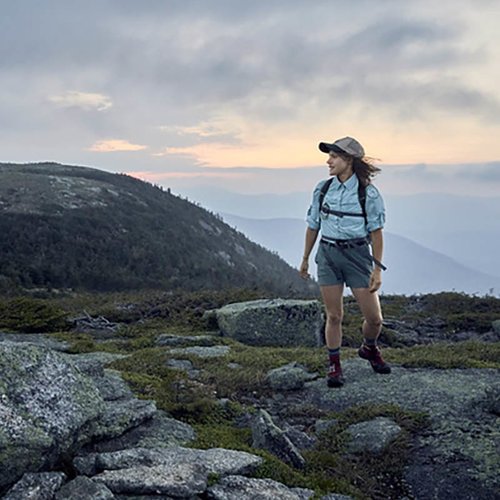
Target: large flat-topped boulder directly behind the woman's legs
[{"x": 275, "y": 322}]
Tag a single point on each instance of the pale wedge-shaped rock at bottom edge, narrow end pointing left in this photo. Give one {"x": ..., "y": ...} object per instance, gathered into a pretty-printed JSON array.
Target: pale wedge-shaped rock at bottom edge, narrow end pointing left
[{"x": 182, "y": 480}]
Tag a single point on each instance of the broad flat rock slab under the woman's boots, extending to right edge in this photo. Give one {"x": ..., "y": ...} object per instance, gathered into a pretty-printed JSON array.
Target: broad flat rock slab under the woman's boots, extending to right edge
[{"x": 463, "y": 429}]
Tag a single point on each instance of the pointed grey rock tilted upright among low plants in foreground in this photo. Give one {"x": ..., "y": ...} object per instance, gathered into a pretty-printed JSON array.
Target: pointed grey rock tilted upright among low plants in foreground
[{"x": 268, "y": 436}]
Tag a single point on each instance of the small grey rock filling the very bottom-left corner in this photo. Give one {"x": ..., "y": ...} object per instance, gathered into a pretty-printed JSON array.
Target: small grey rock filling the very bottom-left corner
[{"x": 36, "y": 486}]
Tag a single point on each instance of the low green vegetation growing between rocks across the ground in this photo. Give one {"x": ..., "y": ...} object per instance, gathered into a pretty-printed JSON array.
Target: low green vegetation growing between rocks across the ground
[{"x": 217, "y": 400}]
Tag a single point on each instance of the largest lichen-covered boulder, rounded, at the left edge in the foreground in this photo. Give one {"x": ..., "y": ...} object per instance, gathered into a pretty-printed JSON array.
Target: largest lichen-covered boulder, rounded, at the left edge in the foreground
[{"x": 45, "y": 403}]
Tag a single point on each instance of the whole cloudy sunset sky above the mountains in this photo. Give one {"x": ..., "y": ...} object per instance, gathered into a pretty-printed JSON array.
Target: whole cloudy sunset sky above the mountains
[{"x": 237, "y": 94}]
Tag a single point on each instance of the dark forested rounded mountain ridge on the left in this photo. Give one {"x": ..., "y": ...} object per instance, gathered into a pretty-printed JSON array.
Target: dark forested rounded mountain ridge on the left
[{"x": 78, "y": 227}]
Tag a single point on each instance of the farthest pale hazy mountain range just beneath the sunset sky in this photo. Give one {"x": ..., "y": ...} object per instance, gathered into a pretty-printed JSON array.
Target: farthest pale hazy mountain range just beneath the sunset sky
[{"x": 465, "y": 228}]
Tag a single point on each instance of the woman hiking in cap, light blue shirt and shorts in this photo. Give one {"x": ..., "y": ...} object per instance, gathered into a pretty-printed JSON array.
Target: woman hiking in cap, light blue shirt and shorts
[{"x": 349, "y": 212}]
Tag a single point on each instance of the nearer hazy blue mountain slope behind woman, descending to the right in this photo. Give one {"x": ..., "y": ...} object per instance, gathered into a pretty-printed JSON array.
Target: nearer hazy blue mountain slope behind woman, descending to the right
[{"x": 412, "y": 268}]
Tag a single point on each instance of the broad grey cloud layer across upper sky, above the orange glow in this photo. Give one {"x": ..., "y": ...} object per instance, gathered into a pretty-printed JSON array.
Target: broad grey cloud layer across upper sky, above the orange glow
[{"x": 180, "y": 62}]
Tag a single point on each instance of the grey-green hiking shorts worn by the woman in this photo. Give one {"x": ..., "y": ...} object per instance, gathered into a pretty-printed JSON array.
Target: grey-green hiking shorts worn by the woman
[{"x": 334, "y": 268}]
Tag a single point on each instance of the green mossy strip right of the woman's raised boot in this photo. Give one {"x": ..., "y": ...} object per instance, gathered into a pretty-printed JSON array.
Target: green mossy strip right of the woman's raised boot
[{"x": 457, "y": 355}]
